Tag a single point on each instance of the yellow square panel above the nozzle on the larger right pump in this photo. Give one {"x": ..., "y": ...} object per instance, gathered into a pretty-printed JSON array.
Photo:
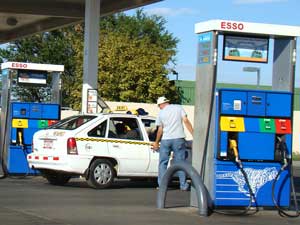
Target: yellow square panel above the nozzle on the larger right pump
[{"x": 232, "y": 124}]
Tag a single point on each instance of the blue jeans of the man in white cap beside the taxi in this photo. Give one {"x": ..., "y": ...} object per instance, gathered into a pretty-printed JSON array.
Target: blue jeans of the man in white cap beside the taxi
[{"x": 178, "y": 148}]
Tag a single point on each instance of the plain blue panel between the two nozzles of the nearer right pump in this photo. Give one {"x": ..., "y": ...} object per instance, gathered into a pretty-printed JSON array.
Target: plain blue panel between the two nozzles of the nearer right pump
[{"x": 256, "y": 146}]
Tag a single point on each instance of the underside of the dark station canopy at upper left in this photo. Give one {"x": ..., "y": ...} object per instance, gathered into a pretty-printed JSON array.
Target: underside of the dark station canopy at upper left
[{"x": 20, "y": 18}]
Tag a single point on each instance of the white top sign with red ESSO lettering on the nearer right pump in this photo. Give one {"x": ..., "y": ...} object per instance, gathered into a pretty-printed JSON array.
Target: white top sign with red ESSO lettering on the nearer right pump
[{"x": 246, "y": 27}]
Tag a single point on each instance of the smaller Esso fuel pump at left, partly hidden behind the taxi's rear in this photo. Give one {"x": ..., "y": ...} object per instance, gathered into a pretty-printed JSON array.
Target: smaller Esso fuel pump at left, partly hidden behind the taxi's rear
[{"x": 30, "y": 101}]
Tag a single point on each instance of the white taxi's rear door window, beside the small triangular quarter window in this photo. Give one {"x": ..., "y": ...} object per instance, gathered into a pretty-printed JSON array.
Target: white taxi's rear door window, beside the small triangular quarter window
[{"x": 125, "y": 128}]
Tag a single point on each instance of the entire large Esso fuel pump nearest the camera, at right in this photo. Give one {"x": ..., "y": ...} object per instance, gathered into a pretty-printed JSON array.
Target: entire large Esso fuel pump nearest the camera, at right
[{"x": 243, "y": 137}]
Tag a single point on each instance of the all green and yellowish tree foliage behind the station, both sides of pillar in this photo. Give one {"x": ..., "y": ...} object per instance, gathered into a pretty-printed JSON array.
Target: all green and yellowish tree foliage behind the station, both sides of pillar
[{"x": 134, "y": 54}]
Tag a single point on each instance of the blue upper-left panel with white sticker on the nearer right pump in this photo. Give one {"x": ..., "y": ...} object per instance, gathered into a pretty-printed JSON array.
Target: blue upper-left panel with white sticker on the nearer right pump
[{"x": 233, "y": 102}]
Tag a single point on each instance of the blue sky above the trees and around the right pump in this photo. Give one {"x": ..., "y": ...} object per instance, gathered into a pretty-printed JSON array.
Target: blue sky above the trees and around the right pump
[{"x": 182, "y": 15}]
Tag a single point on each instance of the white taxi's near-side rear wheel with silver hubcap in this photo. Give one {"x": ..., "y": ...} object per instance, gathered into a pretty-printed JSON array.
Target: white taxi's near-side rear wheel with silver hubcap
[{"x": 101, "y": 174}]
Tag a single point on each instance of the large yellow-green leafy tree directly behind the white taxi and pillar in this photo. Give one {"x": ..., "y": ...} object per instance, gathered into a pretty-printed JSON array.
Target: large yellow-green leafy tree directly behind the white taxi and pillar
[{"x": 134, "y": 54}]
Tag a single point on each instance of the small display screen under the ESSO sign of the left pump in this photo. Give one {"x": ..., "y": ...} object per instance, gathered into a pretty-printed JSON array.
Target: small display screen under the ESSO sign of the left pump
[{"x": 32, "y": 77}]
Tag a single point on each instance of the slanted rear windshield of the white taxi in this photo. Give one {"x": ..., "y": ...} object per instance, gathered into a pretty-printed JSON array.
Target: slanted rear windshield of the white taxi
[{"x": 72, "y": 122}]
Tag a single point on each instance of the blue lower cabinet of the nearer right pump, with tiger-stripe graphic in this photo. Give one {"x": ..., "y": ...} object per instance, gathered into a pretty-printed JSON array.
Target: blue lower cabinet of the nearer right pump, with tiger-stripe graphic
[{"x": 254, "y": 121}]
